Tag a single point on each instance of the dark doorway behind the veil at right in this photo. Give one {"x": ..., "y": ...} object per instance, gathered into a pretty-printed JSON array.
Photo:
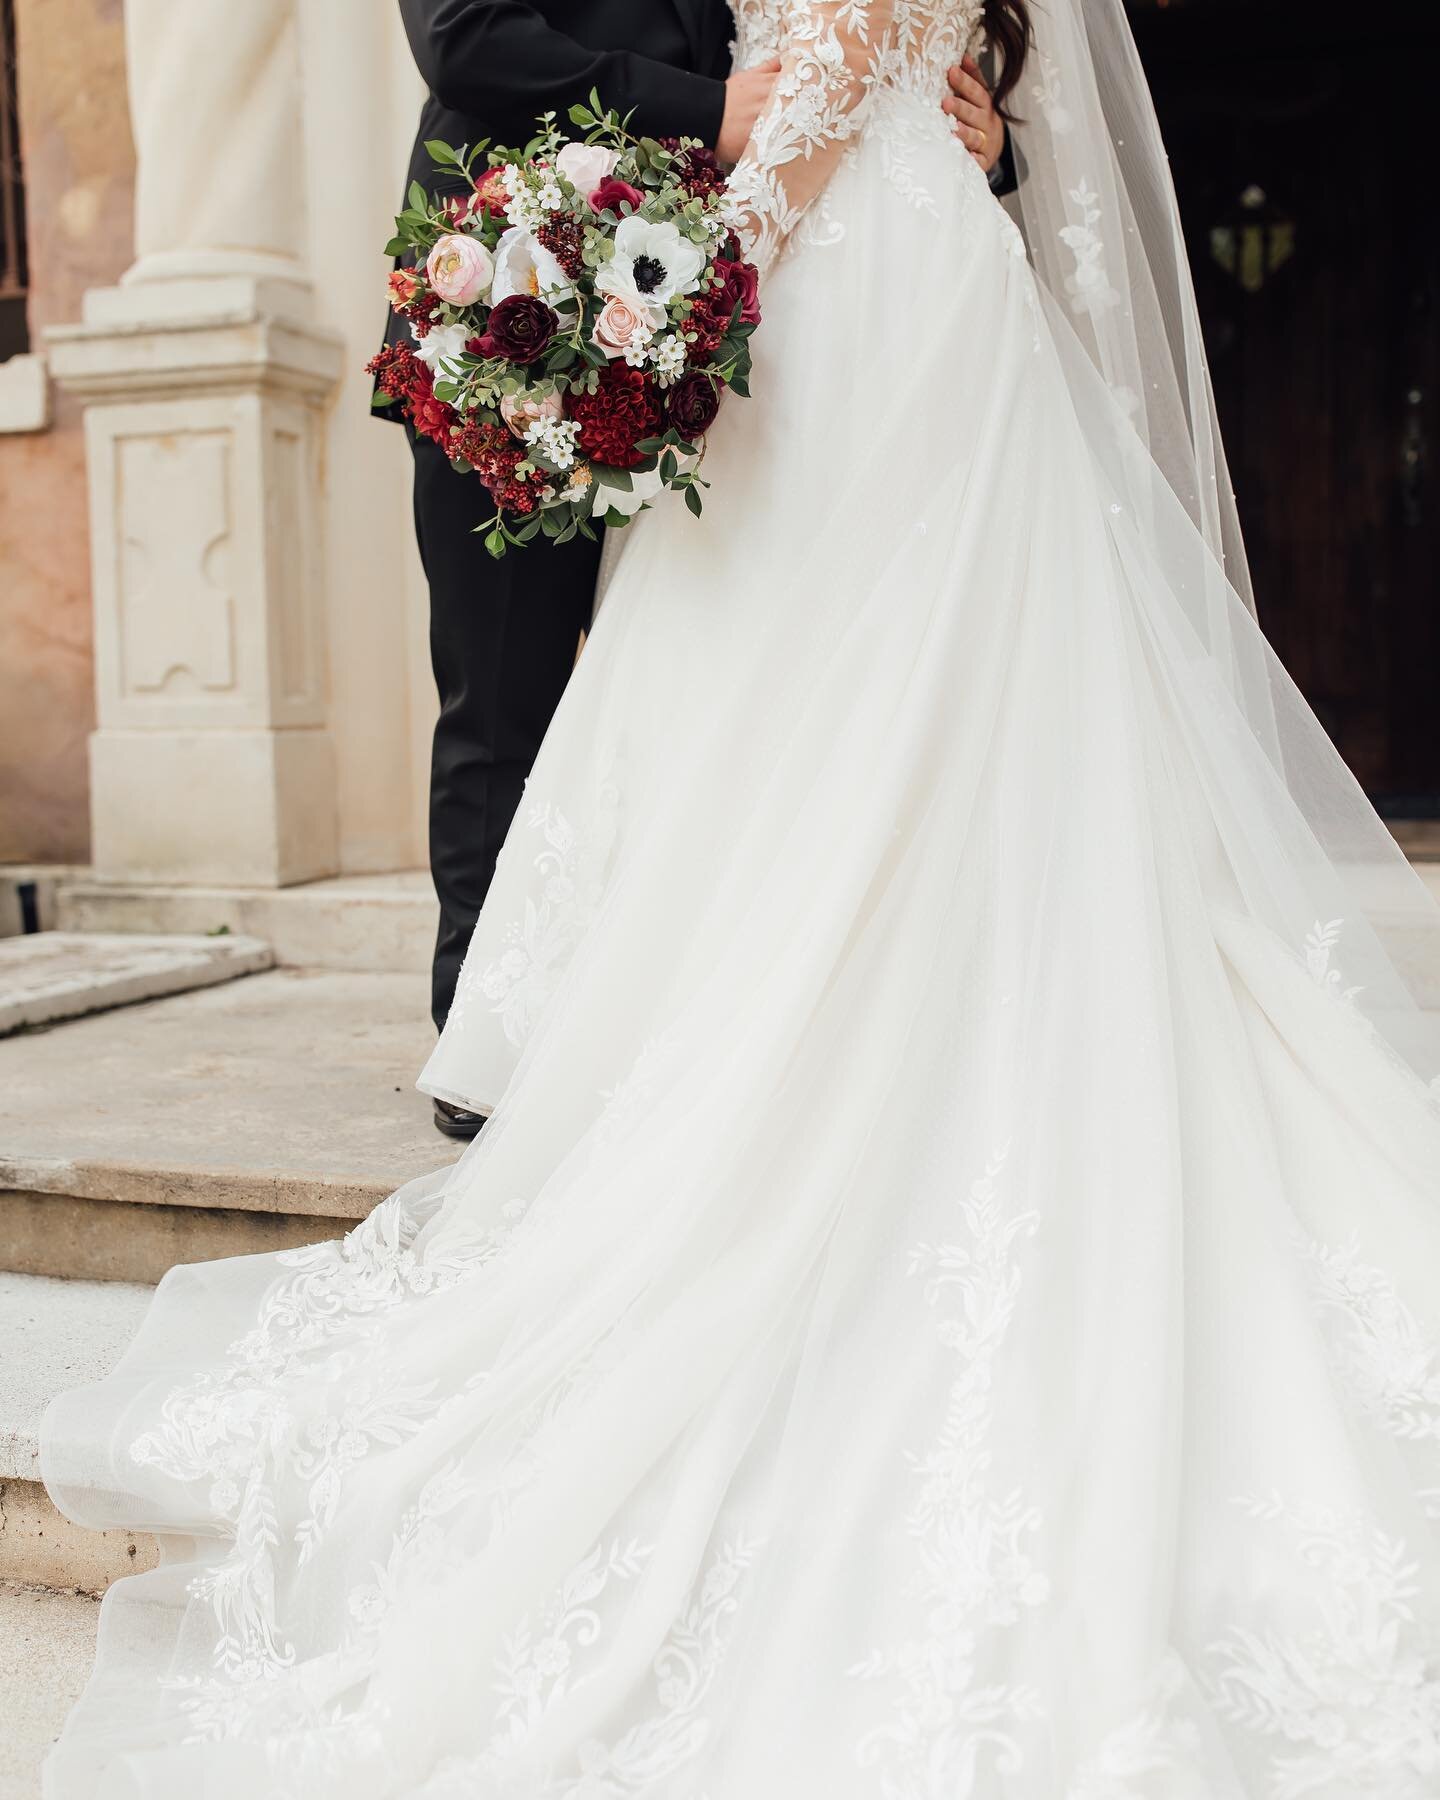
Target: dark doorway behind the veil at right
[{"x": 1299, "y": 143}]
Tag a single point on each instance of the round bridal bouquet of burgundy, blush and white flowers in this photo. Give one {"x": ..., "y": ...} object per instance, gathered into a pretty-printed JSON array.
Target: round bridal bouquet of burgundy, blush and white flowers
[{"x": 577, "y": 314}]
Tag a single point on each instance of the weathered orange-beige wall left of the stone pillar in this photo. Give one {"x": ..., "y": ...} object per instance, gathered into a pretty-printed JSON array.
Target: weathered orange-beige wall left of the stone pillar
[{"x": 75, "y": 129}]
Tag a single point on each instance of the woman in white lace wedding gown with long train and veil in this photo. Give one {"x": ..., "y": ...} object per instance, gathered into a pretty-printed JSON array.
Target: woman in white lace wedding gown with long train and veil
[{"x": 948, "y": 1302}]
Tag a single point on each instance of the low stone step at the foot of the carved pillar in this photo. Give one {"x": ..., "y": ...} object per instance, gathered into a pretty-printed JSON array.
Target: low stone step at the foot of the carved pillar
[{"x": 363, "y": 922}]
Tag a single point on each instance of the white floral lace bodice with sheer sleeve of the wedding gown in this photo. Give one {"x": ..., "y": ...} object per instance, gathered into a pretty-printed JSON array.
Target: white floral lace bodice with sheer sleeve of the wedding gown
[{"x": 840, "y": 57}]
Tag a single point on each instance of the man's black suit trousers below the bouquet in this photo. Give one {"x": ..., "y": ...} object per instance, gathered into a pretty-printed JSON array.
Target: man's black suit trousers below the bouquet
[{"x": 503, "y": 643}]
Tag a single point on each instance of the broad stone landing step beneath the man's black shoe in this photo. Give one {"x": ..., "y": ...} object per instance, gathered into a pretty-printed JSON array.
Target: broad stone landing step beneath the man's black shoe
[{"x": 260, "y": 1115}]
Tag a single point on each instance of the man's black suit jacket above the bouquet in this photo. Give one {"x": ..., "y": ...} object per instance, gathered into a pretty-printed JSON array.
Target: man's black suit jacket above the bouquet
[{"x": 494, "y": 66}]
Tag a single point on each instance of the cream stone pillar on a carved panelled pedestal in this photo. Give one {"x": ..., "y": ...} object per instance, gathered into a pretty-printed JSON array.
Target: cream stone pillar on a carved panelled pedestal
[{"x": 206, "y": 382}]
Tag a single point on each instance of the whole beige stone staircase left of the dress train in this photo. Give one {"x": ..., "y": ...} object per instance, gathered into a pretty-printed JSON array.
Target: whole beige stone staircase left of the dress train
[{"x": 255, "y": 1115}]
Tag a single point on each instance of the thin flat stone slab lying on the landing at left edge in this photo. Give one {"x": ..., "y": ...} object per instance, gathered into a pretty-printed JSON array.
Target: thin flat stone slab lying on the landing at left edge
[{"x": 66, "y": 975}]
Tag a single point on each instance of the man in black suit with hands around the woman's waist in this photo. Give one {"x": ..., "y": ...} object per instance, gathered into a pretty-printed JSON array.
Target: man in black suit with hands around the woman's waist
[{"x": 505, "y": 634}]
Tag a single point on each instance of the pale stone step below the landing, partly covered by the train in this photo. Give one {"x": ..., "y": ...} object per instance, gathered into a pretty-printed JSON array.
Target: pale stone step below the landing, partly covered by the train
[{"x": 58, "y": 1335}]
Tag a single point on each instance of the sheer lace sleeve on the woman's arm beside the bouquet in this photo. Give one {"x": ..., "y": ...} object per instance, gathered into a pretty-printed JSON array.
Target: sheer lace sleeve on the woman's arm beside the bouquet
[{"x": 829, "y": 60}]
